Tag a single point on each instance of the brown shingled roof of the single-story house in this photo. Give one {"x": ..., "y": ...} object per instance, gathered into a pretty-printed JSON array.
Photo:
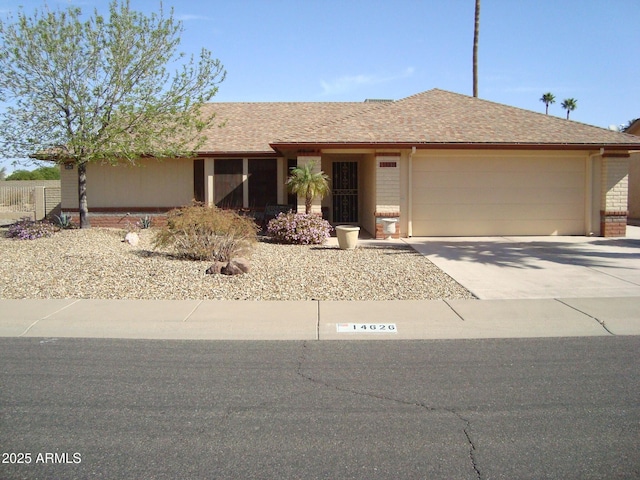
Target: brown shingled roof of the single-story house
[{"x": 432, "y": 118}]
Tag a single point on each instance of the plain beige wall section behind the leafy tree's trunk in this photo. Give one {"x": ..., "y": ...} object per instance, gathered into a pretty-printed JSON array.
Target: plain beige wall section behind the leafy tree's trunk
[{"x": 152, "y": 184}]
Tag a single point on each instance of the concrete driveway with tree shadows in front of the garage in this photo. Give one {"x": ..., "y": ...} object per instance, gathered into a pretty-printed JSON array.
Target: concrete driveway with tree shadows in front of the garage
[{"x": 538, "y": 267}]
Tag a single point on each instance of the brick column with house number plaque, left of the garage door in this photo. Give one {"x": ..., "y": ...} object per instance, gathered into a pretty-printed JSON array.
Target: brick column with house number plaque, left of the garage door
[{"x": 387, "y": 193}]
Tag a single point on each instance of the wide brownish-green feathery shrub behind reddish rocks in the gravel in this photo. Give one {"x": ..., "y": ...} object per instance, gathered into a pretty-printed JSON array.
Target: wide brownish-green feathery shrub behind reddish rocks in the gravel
[{"x": 199, "y": 232}]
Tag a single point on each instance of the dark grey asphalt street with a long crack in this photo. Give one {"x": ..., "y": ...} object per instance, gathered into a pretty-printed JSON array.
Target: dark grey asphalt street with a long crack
[{"x": 435, "y": 409}]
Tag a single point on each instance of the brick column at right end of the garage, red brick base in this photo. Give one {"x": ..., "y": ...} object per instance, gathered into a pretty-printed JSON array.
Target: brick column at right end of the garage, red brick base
[{"x": 615, "y": 191}]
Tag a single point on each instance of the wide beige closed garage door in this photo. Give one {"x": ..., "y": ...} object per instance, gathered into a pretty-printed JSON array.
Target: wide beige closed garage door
[{"x": 468, "y": 195}]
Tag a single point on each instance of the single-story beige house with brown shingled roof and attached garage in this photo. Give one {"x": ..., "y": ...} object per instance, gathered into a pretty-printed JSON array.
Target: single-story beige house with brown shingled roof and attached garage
[{"x": 438, "y": 163}]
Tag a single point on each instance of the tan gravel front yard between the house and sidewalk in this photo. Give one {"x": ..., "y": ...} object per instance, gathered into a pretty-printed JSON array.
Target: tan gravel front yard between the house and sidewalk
[{"x": 97, "y": 264}]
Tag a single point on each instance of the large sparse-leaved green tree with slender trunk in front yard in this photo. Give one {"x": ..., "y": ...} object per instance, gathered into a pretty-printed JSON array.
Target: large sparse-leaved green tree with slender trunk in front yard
[{"x": 97, "y": 89}]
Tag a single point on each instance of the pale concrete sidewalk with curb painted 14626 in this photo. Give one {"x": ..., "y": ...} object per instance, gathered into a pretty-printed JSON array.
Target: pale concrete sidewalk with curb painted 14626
[{"x": 320, "y": 320}]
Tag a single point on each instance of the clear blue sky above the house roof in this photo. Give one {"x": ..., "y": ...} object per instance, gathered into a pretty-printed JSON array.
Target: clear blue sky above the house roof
[{"x": 351, "y": 50}]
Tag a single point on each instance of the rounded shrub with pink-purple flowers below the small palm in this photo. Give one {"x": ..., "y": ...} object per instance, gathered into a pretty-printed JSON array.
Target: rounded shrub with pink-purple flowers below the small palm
[{"x": 299, "y": 228}]
